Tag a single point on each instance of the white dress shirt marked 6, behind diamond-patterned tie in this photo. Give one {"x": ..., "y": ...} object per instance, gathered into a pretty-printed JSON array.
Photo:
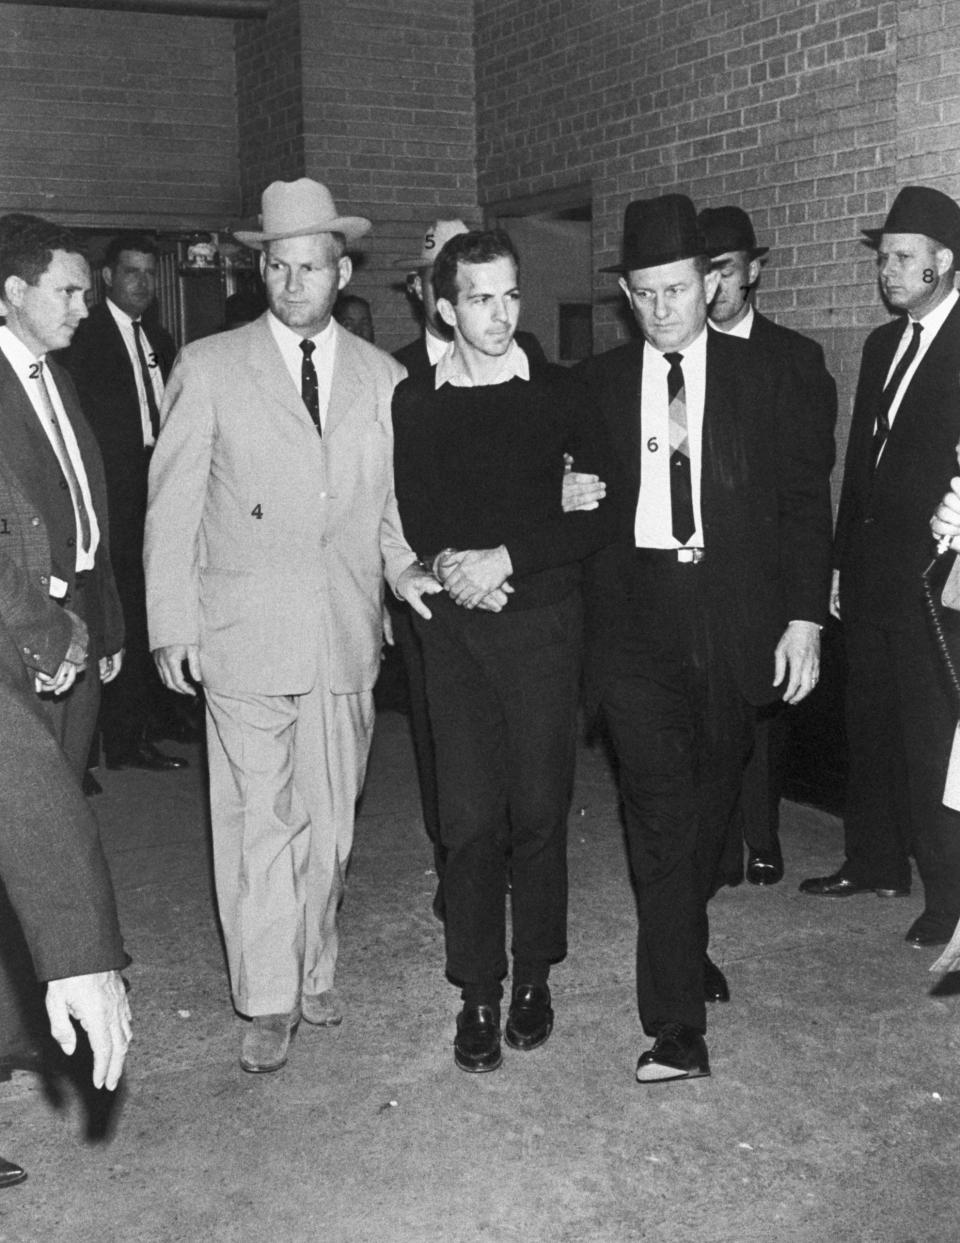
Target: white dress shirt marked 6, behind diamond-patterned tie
[{"x": 652, "y": 528}]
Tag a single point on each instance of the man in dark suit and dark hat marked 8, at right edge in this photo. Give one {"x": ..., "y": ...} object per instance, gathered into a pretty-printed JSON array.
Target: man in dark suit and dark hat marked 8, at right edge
[{"x": 901, "y": 457}]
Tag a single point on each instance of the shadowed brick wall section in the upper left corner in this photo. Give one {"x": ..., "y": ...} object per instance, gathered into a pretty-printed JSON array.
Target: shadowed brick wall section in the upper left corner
[{"x": 118, "y": 119}]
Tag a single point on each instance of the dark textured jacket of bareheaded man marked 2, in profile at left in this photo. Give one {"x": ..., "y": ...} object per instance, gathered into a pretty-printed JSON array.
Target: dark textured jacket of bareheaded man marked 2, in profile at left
[{"x": 38, "y": 530}]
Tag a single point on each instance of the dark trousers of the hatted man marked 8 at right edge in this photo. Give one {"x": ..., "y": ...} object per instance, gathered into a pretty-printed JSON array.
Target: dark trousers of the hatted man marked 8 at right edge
[{"x": 901, "y": 727}]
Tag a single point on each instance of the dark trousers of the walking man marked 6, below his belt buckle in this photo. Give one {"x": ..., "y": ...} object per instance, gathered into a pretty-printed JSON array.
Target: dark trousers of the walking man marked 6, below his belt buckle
[{"x": 681, "y": 730}]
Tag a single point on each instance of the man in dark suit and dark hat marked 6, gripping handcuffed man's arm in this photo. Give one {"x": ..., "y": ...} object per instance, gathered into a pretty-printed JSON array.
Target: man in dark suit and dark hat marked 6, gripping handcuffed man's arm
[{"x": 707, "y": 606}]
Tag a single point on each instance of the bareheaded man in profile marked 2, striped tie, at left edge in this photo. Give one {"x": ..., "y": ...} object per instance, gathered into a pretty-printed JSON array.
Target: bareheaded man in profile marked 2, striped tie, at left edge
[{"x": 54, "y": 538}]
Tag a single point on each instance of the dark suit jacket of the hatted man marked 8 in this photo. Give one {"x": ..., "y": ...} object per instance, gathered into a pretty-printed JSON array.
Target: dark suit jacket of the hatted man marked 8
[{"x": 884, "y": 538}]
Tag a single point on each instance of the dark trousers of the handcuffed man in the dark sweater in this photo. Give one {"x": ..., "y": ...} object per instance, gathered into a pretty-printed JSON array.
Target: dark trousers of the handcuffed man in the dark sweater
[{"x": 503, "y": 697}]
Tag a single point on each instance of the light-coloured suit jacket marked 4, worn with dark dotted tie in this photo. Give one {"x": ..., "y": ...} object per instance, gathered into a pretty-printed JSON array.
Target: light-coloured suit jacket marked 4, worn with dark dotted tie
[{"x": 267, "y": 546}]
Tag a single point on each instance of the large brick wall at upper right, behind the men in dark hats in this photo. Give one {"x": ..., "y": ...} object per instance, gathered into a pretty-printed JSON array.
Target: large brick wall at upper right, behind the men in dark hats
[{"x": 809, "y": 115}]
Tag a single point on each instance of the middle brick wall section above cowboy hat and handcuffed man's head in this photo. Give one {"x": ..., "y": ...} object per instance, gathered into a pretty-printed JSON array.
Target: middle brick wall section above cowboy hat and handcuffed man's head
[{"x": 390, "y": 126}]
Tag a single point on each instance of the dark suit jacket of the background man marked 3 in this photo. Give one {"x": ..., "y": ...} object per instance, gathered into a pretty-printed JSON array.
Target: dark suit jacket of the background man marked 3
[{"x": 103, "y": 372}]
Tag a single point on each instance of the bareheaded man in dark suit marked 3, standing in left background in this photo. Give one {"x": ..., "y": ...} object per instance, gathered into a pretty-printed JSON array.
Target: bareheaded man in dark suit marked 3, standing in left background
[{"x": 120, "y": 366}]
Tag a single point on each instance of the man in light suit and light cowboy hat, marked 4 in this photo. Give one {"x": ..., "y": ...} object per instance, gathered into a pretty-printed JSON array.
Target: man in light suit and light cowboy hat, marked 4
[{"x": 272, "y": 524}]
